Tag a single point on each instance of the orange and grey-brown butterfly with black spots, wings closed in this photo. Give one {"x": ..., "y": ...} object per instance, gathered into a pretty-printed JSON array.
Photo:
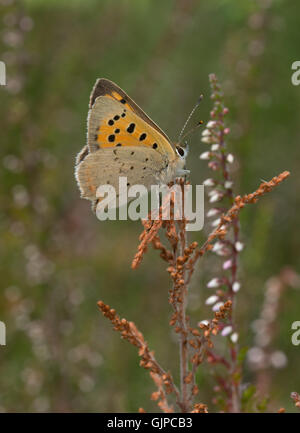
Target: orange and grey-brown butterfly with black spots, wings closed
[{"x": 123, "y": 141}]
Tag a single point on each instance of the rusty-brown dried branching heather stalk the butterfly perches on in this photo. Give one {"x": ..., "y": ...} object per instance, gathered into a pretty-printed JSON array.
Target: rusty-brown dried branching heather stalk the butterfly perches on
[{"x": 194, "y": 342}]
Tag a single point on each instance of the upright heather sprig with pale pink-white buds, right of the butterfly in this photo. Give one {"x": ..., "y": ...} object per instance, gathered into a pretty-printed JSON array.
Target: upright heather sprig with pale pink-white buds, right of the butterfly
[{"x": 220, "y": 193}]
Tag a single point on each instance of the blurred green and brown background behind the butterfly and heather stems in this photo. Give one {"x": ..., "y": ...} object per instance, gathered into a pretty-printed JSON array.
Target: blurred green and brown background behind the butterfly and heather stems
[{"x": 58, "y": 260}]
